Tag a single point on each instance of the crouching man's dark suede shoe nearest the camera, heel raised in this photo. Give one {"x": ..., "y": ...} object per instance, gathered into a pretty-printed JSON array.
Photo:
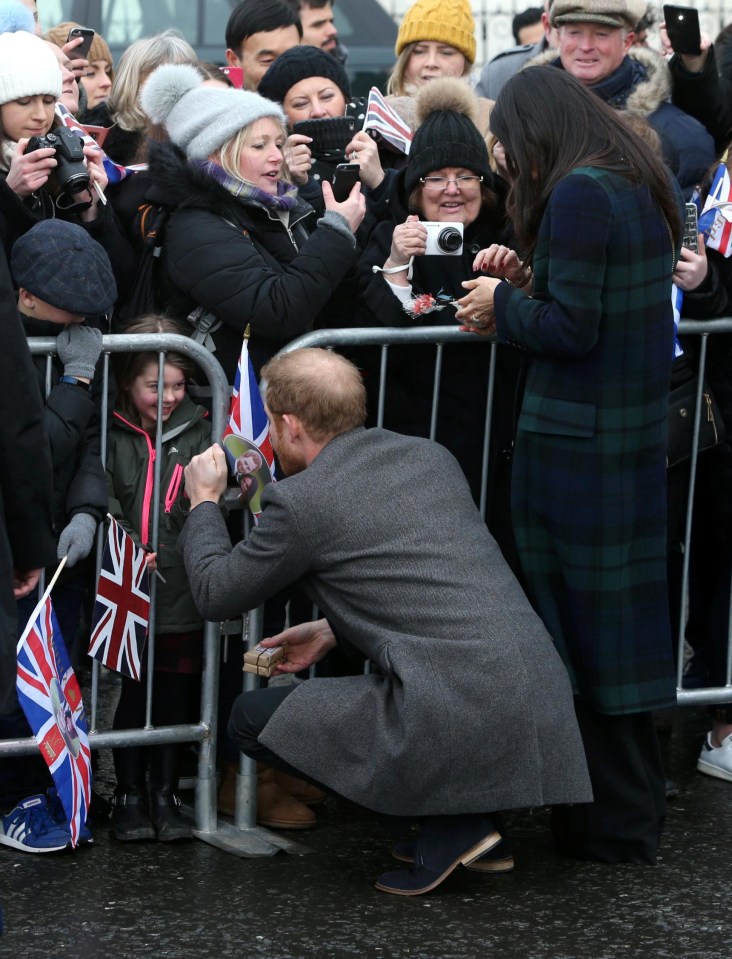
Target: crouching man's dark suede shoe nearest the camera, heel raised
[{"x": 443, "y": 844}]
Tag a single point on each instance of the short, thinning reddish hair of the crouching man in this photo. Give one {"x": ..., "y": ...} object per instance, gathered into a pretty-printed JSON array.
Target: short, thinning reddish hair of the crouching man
[{"x": 322, "y": 388}]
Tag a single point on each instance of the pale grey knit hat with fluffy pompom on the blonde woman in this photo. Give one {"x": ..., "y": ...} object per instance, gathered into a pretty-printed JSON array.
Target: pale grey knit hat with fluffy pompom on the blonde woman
[{"x": 200, "y": 119}]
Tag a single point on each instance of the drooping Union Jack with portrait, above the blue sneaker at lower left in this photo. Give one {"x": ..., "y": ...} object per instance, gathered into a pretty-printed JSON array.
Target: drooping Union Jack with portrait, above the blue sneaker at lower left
[{"x": 51, "y": 700}]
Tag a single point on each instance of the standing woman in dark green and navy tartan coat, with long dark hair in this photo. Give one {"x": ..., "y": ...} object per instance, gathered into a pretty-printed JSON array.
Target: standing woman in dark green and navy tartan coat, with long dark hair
[{"x": 601, "y": 224}]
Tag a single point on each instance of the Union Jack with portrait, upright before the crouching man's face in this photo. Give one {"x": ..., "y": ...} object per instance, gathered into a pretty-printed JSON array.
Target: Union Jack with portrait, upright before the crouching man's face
[{"x": 248, "y": 423}]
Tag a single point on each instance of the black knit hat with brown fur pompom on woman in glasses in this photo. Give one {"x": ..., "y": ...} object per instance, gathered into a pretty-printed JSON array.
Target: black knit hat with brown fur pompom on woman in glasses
[{"x": 447, "y": 135}]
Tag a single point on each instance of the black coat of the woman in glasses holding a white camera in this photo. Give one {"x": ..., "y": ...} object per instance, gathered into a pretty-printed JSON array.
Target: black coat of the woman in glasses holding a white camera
[{"x": 464, "y": 381}]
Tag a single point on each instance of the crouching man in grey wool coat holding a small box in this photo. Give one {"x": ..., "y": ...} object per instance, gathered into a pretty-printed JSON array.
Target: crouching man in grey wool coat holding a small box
[{"x": 469, "y": 709}]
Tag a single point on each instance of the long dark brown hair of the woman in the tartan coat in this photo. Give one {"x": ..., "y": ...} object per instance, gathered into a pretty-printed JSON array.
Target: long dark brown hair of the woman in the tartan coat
[{"x": 549, "y": 123}]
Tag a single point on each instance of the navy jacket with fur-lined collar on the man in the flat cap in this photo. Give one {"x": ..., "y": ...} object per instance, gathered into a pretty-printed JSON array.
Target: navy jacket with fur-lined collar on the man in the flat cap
[{"x": 641, "y": 85}]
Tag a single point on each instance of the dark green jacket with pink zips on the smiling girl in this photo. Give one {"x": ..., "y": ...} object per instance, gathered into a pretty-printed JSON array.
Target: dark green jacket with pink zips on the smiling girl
[{"x": 130, "y": 476}]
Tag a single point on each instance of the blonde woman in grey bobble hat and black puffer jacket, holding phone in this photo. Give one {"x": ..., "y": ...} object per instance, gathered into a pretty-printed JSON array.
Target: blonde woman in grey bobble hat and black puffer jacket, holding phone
[{"x": 241, "y": 244}]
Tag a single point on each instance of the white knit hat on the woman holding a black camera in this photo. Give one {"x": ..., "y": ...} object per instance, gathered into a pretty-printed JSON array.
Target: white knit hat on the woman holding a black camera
[{"x": 28, "y": 67}]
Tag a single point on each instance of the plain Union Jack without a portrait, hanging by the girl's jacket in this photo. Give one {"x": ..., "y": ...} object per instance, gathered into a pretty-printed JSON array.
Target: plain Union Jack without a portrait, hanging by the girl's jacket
[{"x": 122, "y": 605}]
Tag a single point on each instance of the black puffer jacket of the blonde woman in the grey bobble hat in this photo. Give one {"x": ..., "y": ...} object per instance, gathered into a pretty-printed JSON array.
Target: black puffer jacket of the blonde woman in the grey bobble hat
[{"x": 240, "y": 261}]
